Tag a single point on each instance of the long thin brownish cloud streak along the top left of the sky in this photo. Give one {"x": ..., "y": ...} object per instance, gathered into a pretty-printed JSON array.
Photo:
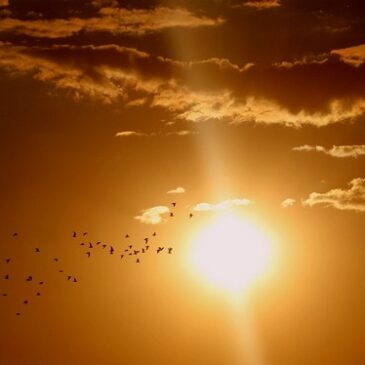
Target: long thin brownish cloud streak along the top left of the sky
[{"x": 110, "y": 19}]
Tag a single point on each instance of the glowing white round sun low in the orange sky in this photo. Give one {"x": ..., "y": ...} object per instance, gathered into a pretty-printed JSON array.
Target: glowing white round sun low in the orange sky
[{"x": 231, "y": 253}]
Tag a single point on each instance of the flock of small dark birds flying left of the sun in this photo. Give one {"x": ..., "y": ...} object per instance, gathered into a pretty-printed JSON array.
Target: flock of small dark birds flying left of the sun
[{"x": 91, "y": 248}]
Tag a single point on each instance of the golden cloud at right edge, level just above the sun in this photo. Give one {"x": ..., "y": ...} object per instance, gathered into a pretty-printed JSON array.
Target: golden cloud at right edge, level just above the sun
[{"x": 351, "y": 199}]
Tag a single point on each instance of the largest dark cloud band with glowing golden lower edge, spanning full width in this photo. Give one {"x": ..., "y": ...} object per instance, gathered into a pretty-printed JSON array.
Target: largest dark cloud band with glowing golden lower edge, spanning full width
[{"x": 199, "y": 90}]
